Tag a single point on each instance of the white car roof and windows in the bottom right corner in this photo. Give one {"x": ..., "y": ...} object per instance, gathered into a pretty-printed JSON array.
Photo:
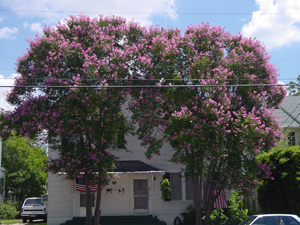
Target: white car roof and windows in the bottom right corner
[{"x": 272, "y": 219}]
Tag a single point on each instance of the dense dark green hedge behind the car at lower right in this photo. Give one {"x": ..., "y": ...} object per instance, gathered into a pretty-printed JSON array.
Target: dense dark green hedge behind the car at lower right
[{"x": 281, "y": 193}]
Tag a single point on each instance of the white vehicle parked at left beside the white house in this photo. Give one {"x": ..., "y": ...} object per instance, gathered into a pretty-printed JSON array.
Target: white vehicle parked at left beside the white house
[{"x": 33, "y": 208}]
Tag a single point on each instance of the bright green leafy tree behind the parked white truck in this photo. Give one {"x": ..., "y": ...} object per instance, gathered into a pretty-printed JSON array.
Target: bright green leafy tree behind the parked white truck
[{"x": 25, "y": 161}]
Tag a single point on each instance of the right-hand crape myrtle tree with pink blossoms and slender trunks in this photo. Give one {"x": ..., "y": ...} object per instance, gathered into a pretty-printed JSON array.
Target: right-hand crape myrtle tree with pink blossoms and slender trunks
[{"x": 212, "y": 102}]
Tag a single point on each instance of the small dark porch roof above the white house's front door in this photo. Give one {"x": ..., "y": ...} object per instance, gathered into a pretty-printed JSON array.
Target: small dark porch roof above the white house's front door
[{"x": 135, "y": 166}]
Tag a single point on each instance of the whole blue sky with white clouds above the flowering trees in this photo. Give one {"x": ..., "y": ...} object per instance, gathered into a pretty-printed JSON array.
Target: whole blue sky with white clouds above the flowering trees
[{"x": 276, "y": 23}]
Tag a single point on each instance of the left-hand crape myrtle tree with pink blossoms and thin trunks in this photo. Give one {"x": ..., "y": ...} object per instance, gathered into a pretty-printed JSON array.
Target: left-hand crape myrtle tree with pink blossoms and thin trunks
[{"x": 50, "y": 95}]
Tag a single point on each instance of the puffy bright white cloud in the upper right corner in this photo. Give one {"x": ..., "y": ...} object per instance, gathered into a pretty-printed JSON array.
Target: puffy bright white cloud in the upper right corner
[{"x": 276, "y": 23}]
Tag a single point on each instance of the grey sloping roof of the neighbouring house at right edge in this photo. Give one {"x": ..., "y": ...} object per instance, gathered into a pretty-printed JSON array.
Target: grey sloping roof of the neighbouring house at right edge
[{"x": 288, "y": 112}]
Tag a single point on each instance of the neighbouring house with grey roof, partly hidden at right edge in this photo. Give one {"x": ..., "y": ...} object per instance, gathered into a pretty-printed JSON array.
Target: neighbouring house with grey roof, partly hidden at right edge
[{"x": 288, "y": 114}]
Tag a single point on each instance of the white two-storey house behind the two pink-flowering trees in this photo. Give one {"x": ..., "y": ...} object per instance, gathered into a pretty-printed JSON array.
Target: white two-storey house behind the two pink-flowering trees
[{"x": 135, "y": 192}]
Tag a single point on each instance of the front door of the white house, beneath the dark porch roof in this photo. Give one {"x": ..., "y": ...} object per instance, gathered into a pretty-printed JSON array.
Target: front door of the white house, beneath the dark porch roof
[{"x": 141, "y": 196}]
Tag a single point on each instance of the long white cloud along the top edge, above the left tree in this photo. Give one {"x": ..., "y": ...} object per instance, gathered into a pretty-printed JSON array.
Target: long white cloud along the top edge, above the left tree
[{"x": 55, "y": 10}]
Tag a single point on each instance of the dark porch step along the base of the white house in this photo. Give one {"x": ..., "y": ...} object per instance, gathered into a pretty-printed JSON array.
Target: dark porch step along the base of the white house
[{"x": 119, "y": 220}]
